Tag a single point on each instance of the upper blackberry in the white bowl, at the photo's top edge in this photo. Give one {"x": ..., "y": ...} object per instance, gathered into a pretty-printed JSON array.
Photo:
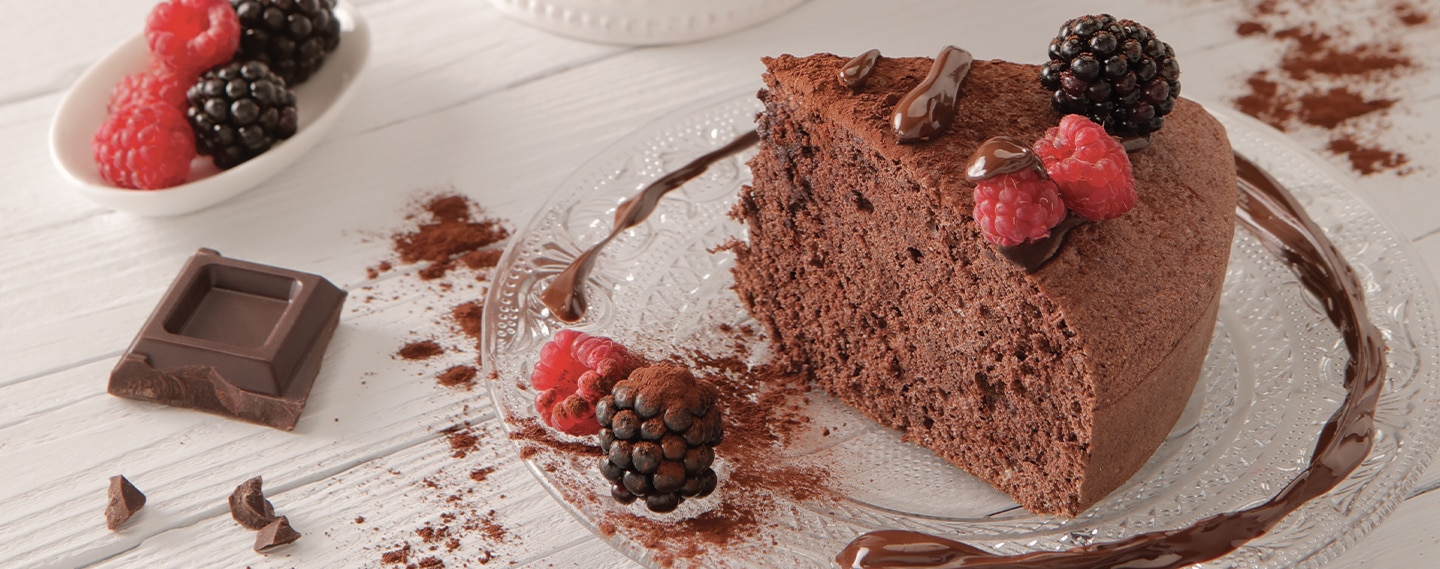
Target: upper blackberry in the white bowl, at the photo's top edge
[{"x": 292, "y": 37}]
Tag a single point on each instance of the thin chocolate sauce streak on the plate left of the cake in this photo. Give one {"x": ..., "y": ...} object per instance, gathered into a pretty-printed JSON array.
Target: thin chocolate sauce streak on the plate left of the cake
[{"x": 565, "y": 296}]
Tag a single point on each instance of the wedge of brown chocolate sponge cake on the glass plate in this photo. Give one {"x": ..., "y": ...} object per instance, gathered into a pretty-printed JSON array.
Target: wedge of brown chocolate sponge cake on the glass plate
[{"x": 870, "y": 274}]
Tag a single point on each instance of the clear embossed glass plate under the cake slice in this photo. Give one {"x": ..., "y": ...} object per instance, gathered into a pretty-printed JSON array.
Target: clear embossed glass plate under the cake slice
[{"x": 1271, "y": 381}]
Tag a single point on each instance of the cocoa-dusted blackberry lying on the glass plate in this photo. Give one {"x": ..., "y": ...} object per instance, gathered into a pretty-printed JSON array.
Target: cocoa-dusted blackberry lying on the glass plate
[{"x": 659, "y": 429}]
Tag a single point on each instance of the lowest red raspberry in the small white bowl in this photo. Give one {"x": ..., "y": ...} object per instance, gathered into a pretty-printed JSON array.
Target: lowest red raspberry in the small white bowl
[{"x": 146, "y": 146}]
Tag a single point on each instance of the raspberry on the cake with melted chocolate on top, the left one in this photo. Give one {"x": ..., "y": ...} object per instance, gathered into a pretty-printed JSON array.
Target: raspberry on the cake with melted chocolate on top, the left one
[{"x": 1016, "y": 208}]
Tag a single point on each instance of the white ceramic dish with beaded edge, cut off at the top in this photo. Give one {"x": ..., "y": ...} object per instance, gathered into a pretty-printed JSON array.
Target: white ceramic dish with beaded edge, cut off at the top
[{"x": 643, "y": 22}]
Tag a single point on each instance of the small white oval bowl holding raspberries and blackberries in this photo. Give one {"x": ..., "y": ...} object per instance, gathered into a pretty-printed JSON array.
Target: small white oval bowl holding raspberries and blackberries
[{"x": 319, "y": 104}]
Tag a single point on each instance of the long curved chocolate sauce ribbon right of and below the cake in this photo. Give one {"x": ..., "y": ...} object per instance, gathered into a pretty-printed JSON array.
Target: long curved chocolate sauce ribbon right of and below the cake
[{"x": 1274, "y": 217}]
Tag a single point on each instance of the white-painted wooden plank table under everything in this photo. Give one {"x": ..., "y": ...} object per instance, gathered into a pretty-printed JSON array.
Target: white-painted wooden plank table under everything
[{"x": 460, "y": 97}]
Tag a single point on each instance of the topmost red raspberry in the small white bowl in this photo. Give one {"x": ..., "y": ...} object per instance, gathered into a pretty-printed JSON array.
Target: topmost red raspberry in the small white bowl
[{"x": 191, "y": 37}]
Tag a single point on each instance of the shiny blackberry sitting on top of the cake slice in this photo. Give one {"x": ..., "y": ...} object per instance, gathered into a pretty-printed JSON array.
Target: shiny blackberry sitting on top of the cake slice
[{"x": 1117, "y": 73}]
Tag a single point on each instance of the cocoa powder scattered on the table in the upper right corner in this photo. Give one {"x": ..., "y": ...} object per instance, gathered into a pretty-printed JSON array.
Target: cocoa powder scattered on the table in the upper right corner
[{"x": 1341, "y": 74}]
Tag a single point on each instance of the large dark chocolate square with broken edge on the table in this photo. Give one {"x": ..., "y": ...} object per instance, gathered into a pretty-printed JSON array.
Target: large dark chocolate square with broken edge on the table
[{"x": 235, "y": 339}]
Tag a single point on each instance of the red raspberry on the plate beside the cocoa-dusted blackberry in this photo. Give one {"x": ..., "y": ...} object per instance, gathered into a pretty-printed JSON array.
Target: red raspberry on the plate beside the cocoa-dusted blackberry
[{"x": 574, "y": 372}]
